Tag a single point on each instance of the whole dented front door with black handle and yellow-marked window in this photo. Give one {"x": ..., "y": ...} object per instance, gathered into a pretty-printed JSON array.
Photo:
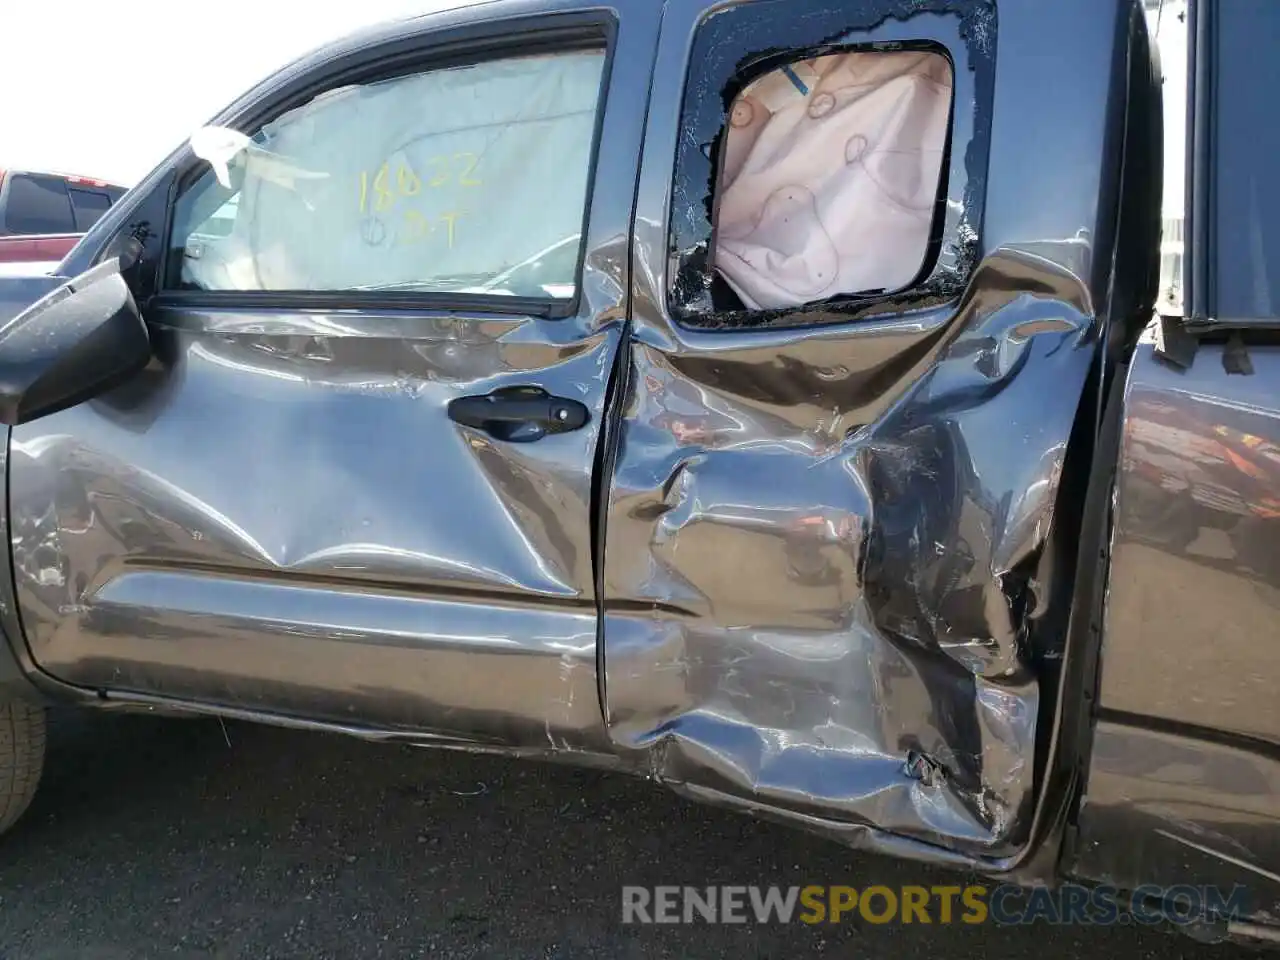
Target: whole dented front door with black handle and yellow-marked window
[{"x": 367, "y": 506}]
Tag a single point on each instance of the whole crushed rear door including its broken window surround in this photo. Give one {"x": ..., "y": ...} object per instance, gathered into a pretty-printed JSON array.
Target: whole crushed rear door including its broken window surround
[{"x": 828, "y": 566}]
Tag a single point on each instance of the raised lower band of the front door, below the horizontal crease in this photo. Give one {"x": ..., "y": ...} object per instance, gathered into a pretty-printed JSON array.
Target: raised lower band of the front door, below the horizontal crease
[{"x": 423, "y": 661}]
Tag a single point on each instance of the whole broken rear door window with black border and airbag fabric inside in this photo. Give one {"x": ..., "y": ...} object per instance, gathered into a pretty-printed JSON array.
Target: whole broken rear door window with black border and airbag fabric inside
[{"x": 829, "y": 167}]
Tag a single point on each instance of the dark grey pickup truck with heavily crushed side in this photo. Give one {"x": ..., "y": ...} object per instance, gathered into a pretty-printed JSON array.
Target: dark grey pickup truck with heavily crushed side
[{"x": 844, "y": 474}]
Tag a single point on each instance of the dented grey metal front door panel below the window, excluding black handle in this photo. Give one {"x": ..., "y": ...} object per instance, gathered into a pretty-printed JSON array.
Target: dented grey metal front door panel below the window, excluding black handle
[{"x": 268, "y": 479}]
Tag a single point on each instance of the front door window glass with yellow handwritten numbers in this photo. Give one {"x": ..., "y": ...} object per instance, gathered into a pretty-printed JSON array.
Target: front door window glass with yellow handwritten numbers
[{"x": 467, "y": 180}]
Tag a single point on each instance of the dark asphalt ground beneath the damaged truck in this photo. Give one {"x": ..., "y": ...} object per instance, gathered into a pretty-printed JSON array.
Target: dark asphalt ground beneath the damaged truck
[{"x": 153, "y": 838}]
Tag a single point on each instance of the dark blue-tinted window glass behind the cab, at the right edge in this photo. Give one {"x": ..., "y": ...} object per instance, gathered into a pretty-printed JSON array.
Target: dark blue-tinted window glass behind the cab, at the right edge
[{"x": 1246, "y": 186}]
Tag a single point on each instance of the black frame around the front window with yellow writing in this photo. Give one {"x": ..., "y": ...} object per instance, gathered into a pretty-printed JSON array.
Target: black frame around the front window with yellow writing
[{"x": 447, "y": 48}]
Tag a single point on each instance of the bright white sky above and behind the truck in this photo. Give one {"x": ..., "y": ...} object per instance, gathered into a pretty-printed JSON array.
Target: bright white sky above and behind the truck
[{"x": 124, "y": 84}]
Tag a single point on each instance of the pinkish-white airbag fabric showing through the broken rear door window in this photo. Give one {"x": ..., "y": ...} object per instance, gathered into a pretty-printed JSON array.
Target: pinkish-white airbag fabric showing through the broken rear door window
[{"x": 831, "y": 175}]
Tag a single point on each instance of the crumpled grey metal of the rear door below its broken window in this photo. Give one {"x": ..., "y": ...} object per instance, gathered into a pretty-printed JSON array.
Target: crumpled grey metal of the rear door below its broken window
[{"x": 831, "y": 606}]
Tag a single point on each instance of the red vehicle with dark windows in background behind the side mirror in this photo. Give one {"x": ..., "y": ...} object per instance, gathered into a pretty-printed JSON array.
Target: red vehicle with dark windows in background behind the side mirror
[{"x": 43, "y": 216}]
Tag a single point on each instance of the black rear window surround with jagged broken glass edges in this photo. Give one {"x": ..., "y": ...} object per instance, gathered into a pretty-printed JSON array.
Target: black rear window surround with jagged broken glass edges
[{"x": 947, "y": 28}]
